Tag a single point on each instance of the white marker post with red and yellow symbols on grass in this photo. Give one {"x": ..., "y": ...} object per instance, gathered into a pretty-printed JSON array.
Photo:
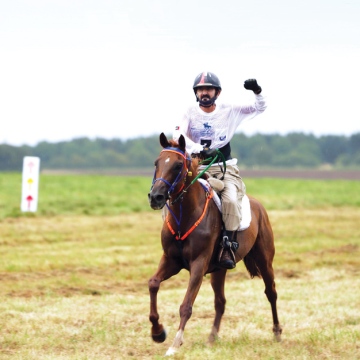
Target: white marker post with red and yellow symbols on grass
[{"x": 30, "y": 183}]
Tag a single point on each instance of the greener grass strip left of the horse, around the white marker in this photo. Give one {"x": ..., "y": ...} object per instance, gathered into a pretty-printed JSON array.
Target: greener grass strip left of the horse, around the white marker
[{"x": 77, "y": 194}]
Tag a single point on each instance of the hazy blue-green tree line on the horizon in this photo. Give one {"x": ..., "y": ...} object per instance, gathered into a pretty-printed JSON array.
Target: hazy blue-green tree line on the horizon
[{"x": 294, "y": 150}]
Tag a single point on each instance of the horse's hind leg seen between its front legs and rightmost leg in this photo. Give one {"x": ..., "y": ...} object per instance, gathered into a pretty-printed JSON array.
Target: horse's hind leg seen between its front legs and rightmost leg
[{"x": 218, "y": 285}]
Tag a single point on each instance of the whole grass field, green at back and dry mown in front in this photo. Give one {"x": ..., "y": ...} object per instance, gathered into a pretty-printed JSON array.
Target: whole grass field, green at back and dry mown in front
[{"x": 74, "y": 275}]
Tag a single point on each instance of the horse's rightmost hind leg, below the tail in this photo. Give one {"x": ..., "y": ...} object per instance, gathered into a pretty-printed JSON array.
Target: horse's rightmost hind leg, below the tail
[{"x": 263, "y": 259}]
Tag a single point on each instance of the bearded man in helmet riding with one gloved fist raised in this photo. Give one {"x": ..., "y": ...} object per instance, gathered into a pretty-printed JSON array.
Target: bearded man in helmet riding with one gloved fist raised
[{"x": 207, "y": 127}]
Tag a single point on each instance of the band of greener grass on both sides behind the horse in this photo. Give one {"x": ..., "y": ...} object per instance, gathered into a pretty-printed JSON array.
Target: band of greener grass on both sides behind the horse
[{"x": 111, "y": 195}]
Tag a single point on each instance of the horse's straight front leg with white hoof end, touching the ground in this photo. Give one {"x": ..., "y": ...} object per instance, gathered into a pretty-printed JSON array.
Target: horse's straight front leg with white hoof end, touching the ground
[{"x": 196, "y": 276}]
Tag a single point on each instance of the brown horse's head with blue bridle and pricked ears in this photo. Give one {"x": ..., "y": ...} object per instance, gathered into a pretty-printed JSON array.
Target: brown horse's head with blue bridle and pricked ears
[{"x": 171, "y": 170}]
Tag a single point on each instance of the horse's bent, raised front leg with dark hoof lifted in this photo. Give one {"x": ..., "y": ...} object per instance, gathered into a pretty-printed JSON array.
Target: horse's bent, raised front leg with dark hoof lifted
[{"x": 165, "y": 270}]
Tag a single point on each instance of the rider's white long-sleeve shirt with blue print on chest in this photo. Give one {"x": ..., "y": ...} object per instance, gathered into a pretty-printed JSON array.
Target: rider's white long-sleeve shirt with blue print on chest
[{"x": 218, "y": 127}]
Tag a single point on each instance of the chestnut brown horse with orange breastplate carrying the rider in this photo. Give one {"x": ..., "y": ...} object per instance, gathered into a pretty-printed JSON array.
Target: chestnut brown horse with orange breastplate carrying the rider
[{"x": 190, "y": 239}]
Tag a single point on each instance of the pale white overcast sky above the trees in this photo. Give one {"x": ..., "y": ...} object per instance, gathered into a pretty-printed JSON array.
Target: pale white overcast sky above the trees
[{"x": 125, "y": 68}]
